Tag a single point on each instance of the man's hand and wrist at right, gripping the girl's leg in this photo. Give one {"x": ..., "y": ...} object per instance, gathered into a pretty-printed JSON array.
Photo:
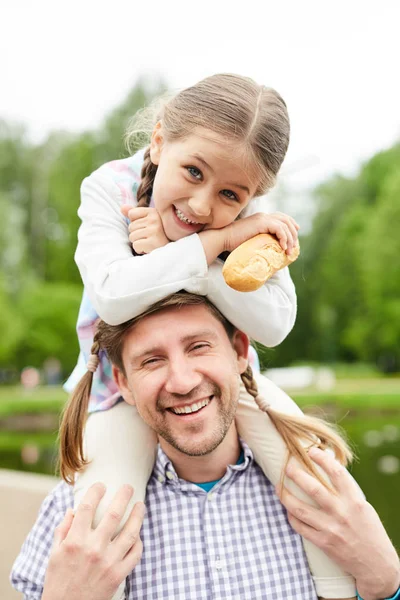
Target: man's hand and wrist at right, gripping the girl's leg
[{"x": 346, "y": 527}]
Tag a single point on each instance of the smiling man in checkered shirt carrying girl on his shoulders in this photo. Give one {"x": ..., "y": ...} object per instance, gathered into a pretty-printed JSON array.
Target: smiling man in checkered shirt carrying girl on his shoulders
[{"x": 214, "y": 526}]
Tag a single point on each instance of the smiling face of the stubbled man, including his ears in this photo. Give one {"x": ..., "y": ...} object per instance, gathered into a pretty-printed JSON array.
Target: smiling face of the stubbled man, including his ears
[{"x": 183, "y": 376}]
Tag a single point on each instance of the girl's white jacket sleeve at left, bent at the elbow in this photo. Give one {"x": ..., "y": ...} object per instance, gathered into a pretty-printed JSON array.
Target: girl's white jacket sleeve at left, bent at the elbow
[{"x": 119, "y": 284}]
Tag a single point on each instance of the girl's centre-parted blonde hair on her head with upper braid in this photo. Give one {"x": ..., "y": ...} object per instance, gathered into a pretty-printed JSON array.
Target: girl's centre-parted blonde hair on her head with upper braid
[{"x": 233, "y": 106}]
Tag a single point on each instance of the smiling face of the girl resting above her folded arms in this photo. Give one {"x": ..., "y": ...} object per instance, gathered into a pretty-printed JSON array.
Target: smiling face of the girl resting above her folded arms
[{"x": 202, "y": 182}]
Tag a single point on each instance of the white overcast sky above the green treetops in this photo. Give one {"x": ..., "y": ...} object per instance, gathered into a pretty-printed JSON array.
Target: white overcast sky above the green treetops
[{"x": 336, "y": 63}]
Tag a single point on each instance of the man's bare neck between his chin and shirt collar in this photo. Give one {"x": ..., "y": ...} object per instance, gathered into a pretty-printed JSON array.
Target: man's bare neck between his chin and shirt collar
[{"x": 210, "y": 467}]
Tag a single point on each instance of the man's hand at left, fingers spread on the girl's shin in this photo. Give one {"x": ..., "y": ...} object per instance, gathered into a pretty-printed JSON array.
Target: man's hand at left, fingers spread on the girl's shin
[{"x": 86, "y": 563}]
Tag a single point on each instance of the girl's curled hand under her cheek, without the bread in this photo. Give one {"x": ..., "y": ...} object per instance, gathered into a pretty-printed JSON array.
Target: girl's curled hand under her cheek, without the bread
[{"x": 146, "y": 232}]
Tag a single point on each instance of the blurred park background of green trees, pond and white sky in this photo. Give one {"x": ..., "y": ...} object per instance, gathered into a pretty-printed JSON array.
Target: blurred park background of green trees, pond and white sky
[{"x": 71, "y": 76}]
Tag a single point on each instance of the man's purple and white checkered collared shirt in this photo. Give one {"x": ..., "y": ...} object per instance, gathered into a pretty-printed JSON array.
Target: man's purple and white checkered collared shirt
[{"x": 233, "y": 542}]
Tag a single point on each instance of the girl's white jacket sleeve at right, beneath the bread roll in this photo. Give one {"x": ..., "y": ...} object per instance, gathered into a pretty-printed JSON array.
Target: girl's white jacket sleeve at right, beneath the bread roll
[{"x": 266, "y": 315}]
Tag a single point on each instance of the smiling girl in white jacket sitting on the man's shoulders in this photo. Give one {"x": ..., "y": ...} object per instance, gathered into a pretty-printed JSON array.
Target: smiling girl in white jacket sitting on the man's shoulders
[{"x": 215, "y": 147}]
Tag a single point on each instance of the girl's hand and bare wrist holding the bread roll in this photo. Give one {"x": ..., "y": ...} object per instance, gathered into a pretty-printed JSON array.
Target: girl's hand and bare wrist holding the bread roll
[{"x": 284, "y": 227}]
